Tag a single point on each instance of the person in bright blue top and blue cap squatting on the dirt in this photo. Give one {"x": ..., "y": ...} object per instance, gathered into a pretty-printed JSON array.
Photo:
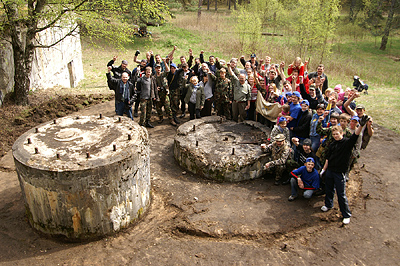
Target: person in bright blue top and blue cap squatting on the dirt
[{"x": 306, "y": 178}]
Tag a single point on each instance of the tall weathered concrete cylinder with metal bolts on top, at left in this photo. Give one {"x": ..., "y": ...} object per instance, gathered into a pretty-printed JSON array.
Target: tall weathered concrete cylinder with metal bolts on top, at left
[{"x": 66, "y": 193}]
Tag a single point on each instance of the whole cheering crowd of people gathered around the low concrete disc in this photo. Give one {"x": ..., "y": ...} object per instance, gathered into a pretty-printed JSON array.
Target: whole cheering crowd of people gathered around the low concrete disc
[{"x": 316, "y": 136}]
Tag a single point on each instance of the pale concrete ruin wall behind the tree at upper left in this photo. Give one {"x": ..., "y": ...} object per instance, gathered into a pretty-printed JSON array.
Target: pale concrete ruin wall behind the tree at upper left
[{"x": 60, "y": 65}]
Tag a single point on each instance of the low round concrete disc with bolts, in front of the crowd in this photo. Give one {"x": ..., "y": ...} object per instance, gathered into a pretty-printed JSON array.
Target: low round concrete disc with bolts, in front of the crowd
[{"x": 221, "y": 150}]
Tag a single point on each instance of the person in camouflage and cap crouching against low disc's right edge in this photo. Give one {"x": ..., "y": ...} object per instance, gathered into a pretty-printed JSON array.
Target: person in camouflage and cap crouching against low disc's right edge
[{"x": 279, "y": 152}]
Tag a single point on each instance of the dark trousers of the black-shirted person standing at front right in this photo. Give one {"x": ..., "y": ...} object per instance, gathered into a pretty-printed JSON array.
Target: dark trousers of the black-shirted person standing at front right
[{"x": 336, "y": 180}]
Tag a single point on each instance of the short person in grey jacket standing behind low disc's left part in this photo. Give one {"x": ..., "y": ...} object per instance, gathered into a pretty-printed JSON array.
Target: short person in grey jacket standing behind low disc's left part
[{"x": 195, "y": 97}]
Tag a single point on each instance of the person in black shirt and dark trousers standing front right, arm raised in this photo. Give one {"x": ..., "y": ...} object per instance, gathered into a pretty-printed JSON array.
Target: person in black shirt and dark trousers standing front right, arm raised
[{"x": 336, "y": 164}]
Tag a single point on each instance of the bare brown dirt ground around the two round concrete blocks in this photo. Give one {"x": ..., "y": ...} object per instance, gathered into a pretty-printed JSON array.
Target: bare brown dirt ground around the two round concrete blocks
[{"x": 197, "y": 221}]
